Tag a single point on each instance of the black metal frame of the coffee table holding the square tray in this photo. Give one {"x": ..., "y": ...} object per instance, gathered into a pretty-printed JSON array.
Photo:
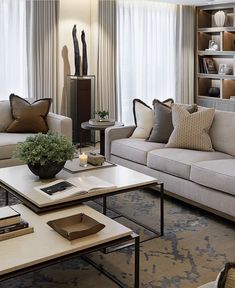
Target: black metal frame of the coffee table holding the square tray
[{"x": 47, "y": 263}]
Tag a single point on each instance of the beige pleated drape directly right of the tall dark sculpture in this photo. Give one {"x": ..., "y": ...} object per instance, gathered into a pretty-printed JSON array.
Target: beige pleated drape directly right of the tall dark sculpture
[{"x": 106, "y": 76}]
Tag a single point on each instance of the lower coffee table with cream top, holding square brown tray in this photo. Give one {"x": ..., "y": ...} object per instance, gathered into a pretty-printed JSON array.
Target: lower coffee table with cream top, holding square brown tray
[{"x": 19, "y": 256}]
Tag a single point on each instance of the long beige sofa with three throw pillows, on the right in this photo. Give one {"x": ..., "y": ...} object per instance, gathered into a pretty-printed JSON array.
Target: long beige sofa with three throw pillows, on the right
[{"x": 205, "y": 179}]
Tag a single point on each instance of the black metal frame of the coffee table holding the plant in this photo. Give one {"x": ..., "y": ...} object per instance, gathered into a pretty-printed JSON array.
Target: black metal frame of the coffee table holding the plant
[{"x": 39, "y": 210}]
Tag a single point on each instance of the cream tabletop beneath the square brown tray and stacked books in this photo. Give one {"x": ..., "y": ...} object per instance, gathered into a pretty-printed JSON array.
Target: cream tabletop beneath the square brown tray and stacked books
[{"x": 46, "y": 244}]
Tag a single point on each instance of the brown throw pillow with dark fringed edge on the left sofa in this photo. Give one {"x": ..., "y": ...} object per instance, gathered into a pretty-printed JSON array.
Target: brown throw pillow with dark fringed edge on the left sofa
[{"x": 28, "y": 118}]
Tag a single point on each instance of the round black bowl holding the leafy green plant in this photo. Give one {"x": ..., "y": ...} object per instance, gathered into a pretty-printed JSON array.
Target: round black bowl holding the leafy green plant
[{"x": 46, "y": 171}]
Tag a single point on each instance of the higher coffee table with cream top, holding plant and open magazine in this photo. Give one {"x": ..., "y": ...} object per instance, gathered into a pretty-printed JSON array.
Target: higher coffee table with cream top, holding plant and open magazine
[{"x": 19, "y": 181}]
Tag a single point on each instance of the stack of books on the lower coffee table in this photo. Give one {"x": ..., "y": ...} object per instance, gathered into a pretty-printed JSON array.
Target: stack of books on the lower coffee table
[{"x": 11, "y": 224}]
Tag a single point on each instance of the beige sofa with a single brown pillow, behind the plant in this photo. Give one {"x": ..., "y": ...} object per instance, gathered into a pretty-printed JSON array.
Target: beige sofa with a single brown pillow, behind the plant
[{"x": 8, "y": 141}]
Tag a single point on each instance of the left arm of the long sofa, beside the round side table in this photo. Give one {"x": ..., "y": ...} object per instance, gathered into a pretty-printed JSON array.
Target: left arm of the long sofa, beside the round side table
[{"x": 114, "y": 133}]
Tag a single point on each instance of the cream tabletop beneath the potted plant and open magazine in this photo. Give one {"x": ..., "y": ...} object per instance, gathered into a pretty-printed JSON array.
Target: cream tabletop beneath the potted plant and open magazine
[{"x": 21, "y": 180}]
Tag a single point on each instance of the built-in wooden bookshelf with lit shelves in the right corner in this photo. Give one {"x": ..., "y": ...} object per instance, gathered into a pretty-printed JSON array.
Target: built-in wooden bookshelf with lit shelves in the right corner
[{"x": 215, "y": 57}]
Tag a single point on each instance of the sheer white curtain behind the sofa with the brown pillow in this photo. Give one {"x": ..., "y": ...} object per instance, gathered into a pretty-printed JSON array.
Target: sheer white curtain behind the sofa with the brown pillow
[{"x": 13, "y": 52}]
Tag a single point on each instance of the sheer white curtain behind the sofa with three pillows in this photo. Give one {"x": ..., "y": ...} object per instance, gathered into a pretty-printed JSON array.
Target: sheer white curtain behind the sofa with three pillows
[{"x": 146, "y": 61}]
